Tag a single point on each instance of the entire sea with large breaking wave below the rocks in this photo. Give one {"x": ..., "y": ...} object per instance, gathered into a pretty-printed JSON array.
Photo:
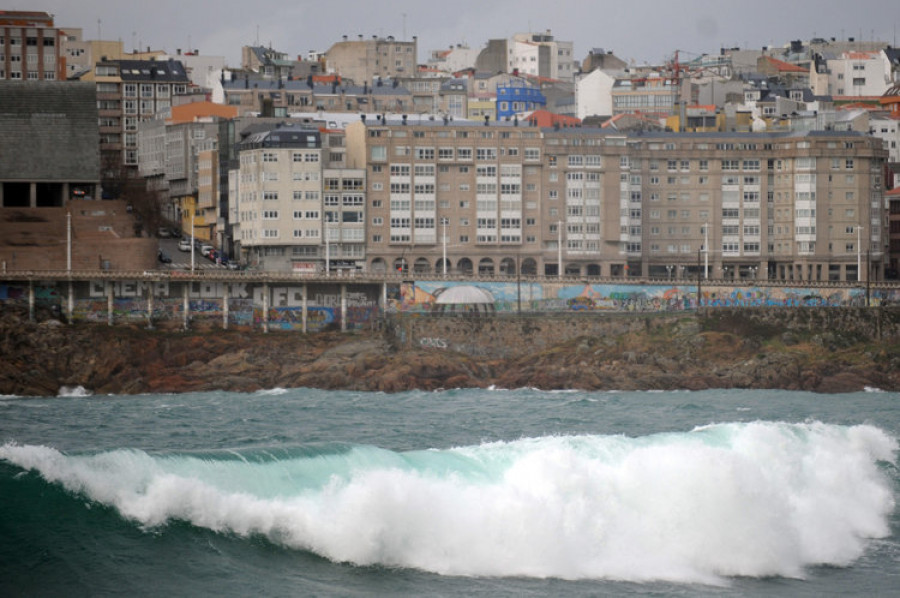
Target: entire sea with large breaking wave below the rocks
[{"x": 452, "y": 493}]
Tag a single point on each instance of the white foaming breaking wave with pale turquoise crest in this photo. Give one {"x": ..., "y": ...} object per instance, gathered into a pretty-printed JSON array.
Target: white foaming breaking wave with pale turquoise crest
[{"x": 756, "y": 499}]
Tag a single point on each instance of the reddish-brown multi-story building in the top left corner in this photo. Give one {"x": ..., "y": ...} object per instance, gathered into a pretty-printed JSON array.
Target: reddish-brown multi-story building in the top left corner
[{"x": 31, "y": 47}]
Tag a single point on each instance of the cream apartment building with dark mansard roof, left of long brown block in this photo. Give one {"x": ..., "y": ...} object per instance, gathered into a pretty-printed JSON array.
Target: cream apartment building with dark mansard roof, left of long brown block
[{"x": 292, "y": 211}]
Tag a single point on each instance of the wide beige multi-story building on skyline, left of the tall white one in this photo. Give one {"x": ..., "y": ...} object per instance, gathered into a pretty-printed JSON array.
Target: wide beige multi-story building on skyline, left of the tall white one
[{"x": 365, "y": 60}]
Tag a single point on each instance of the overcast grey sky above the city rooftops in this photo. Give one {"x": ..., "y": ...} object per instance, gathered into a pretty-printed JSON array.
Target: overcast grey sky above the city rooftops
[{"x": 639, "y": 30}]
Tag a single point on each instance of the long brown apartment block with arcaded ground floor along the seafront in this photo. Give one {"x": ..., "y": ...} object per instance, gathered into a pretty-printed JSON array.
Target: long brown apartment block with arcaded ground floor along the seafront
[{"x": 499, "y": 198}]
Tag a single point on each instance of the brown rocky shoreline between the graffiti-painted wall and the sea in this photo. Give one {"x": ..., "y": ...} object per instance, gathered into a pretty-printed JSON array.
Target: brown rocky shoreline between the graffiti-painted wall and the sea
[{"x": 40, "y": 358}]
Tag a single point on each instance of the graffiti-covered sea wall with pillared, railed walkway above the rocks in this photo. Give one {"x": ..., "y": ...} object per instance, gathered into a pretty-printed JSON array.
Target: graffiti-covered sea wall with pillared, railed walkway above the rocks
[{"x": 308, "y": 303}]
